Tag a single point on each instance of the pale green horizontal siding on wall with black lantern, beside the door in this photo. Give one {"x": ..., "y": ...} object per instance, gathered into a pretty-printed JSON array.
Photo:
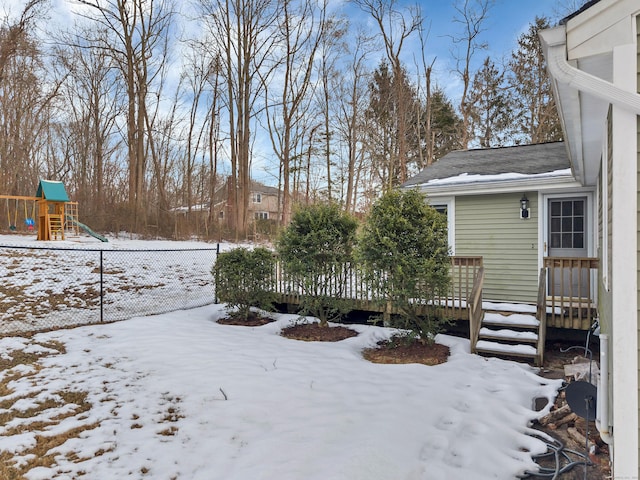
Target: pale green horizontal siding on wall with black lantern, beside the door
[{"x": 490, "y": 226}]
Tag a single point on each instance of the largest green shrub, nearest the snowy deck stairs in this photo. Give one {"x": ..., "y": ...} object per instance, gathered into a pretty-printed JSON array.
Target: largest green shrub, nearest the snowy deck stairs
[{"x": 404, "y": 254}]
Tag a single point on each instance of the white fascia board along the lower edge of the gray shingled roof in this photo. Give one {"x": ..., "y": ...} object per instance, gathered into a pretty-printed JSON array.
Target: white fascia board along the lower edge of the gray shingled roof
[{"x": 504, "y": 186}]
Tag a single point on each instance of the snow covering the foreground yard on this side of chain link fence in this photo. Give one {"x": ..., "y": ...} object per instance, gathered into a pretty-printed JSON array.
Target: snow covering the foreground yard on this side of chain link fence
[{"x": 179, "y": 396}]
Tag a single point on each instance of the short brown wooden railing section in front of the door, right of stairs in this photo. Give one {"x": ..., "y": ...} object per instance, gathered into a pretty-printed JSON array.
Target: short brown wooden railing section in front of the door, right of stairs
[{"x": 570, "y": 296}]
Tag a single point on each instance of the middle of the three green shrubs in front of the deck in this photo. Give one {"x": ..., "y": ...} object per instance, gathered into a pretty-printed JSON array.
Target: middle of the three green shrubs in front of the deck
[{"x": 315, "y": 251}]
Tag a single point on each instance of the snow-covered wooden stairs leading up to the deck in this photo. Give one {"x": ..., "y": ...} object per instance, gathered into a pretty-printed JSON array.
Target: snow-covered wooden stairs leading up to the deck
[{"x": 510, "y": 330}]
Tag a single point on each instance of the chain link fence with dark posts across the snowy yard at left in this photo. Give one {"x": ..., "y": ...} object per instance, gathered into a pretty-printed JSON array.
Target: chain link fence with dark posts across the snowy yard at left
[{"x": 44, "y": 288}]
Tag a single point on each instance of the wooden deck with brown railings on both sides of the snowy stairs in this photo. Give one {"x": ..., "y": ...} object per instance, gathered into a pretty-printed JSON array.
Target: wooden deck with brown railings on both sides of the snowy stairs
[{"x": 567, "y": 304}]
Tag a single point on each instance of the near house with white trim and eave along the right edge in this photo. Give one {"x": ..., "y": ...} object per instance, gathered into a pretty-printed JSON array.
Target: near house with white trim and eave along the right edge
[{"x": 592, "y": 57}]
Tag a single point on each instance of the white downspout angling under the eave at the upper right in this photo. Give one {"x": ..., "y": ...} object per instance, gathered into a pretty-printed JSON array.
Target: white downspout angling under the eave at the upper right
[{"x": 563, "y": 72}]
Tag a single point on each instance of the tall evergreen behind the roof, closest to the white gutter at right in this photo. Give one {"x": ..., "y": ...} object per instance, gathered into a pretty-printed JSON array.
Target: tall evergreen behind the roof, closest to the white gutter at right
[{"x": 534, "y": 111}]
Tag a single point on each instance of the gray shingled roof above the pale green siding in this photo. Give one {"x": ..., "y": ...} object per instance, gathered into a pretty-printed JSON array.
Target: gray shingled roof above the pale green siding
[{"x": 524, "y": 159}]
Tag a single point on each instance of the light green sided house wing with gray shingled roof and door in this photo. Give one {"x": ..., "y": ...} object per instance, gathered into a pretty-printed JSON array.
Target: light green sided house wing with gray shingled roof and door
[{"x": 482, "y": 191}]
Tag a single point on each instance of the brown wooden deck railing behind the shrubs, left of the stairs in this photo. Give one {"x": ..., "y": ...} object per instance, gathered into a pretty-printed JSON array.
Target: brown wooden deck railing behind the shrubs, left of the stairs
[{"x": 347, "y": 281}]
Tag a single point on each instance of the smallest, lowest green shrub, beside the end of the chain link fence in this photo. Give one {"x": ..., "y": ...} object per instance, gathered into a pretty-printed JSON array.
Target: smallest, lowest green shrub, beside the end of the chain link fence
[{"x": 243, "y": 280}]
